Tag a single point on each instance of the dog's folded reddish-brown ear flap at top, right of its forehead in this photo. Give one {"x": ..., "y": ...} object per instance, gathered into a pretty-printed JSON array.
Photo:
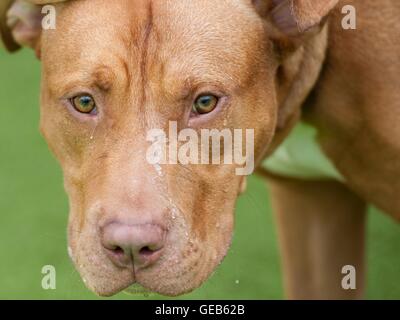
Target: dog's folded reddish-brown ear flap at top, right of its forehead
[{"x": 295, "y": 17}]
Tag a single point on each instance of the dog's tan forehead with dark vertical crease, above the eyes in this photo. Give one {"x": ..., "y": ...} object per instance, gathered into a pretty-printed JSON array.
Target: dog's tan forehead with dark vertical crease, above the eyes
[{"x": 222, "y": 32}]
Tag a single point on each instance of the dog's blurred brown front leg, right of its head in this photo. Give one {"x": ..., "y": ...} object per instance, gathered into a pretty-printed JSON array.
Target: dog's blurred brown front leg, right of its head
[{"x": 321, "y": 229}]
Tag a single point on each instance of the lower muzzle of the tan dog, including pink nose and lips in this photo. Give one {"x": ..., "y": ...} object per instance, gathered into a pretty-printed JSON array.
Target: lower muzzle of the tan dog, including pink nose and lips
[{"x": 157, "y": 247}]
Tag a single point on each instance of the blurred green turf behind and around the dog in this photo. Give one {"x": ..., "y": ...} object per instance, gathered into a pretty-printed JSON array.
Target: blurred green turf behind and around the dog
[{"x": 33, "y": 217}]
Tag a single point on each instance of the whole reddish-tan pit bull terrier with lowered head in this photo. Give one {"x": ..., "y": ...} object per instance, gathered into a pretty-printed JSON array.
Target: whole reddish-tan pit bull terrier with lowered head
[{"x": 112, "y": 70}]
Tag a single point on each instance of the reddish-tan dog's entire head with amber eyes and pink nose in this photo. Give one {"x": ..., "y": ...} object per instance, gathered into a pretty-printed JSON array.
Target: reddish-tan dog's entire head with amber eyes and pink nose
[{"x": 115, "y": 70}]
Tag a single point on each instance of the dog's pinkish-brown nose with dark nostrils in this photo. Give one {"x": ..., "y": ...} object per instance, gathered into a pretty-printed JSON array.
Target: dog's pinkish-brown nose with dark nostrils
[{"x": 133, "y": 245}]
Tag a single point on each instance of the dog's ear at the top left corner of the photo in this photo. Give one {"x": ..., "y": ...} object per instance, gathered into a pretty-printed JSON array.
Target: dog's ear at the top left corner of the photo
[{"x": 20, "y": 24}]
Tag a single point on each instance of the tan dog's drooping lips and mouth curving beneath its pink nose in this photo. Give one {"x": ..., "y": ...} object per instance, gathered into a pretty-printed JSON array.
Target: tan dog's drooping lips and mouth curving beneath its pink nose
[{"x": 183, "y": 267}]
